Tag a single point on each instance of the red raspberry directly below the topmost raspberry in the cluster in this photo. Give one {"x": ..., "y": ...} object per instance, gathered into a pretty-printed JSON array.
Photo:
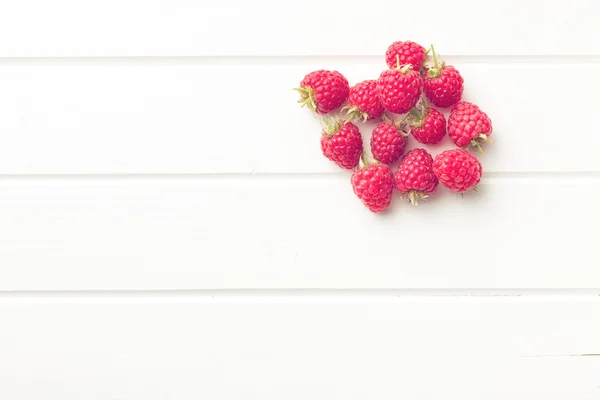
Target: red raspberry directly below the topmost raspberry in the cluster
[{"x": 399, "y": 89}]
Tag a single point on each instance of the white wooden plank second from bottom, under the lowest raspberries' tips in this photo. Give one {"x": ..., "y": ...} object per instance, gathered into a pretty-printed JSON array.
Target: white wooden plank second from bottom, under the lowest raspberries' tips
[{"x": 285, "y": 232}]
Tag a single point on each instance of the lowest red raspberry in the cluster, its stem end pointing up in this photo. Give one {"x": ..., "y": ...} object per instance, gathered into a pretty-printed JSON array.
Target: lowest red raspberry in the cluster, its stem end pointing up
[{"x": 374, "y": 184}]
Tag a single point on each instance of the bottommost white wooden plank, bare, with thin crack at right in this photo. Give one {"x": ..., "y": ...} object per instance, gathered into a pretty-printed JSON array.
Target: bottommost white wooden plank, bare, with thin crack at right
[{"x": 274, "y": 348}]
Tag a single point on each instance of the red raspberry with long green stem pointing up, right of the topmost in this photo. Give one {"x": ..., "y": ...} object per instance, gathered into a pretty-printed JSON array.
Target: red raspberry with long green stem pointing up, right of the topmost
[{"x": 442, "y": 84}]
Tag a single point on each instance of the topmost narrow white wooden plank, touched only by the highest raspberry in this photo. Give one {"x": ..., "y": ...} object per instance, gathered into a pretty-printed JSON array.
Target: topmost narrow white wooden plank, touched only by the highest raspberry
[{"x": 70, "y": 28}]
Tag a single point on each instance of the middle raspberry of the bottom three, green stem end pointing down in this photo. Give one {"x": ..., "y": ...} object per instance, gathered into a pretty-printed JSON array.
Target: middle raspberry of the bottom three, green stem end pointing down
[{"x": 415, "y": 178}]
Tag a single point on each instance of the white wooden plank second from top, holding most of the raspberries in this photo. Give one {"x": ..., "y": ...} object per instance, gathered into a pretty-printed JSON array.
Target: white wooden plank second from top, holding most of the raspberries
[{"x": 192, "y": 117}]
